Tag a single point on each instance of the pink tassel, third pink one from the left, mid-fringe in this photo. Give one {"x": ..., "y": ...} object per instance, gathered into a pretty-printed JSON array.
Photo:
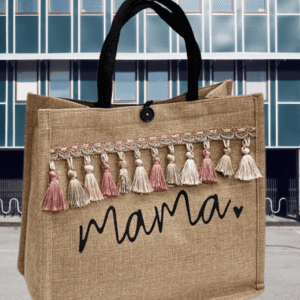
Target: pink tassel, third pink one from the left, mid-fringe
[{"x": 157, "y": 177}]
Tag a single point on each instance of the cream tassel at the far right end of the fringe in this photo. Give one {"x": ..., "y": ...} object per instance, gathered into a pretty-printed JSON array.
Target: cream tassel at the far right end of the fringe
[{"x": 247, "y": 169}]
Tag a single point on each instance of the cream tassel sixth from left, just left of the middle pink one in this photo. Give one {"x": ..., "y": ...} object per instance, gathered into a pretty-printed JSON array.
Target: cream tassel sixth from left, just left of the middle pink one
[{"x": 140, "y": 183}]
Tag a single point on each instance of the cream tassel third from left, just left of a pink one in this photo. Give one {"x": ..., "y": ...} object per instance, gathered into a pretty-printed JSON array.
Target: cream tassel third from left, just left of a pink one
[{"x": 90, "y": 181}]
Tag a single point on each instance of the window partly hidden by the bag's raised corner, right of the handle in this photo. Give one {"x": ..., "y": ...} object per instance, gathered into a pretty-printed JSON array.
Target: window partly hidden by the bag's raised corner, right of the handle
[{"x": 223, "y": 70}]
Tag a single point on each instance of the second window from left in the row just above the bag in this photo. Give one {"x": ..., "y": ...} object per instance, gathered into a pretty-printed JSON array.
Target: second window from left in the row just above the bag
[{"x": 59, "y": 83}]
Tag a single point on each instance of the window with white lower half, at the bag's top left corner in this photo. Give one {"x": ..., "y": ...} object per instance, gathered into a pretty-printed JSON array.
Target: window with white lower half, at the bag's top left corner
[{"x": 26, "y": 79}]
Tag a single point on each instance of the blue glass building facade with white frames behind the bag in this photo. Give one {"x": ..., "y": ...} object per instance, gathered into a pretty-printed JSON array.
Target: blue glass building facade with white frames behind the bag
[{"x": 51, "y": 47}]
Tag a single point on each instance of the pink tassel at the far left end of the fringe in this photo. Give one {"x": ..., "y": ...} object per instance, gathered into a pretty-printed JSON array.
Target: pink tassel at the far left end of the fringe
[{"x": 54, "y": 199}]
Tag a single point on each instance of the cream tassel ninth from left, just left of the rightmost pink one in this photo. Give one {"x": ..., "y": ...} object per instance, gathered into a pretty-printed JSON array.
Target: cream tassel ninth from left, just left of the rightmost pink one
[{"x": 189, "y": 173}]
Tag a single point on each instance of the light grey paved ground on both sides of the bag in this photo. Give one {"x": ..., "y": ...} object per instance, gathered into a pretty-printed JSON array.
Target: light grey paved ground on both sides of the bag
[{"x": 282, "y": 271}]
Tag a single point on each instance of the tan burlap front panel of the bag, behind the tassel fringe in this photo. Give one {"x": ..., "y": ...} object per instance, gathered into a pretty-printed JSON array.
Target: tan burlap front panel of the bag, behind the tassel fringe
[{"x": 182, "y": 257}]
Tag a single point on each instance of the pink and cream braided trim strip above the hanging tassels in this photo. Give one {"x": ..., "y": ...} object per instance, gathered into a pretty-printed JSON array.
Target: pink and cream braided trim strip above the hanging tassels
[{"x": 101, "y": 147}]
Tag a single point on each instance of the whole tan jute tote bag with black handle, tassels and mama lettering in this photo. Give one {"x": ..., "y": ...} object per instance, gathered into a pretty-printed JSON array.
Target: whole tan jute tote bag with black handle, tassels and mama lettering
[{"x": 157, "y": 201}]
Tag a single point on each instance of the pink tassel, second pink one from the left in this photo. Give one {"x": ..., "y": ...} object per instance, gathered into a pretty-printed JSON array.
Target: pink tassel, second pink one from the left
[{"x": 108, "y": 188}]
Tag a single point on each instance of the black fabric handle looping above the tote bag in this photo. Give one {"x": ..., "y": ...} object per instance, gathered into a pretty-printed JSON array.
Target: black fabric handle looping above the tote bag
[{"x": 176, "y": 19}]
